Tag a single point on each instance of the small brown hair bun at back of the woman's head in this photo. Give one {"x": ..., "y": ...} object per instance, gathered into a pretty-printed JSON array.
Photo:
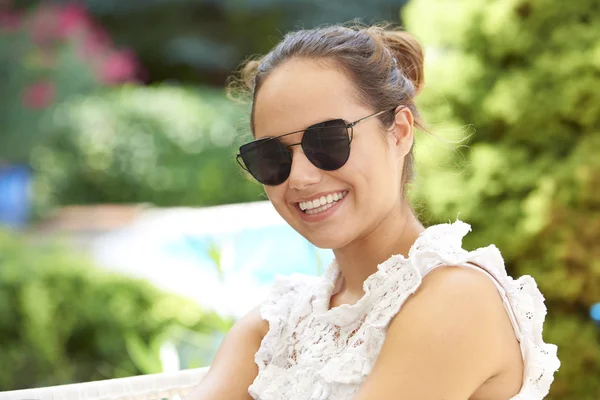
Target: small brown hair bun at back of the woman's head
[{"x": 408, "y": 55}]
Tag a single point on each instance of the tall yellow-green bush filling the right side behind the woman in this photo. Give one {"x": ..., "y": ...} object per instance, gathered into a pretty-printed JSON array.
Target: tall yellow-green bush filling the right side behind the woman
[{"x": 525, "y": 75}]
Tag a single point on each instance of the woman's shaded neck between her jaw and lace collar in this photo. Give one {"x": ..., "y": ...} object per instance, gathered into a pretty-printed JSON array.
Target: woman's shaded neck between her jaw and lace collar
[{"x": 395, "y": 234}]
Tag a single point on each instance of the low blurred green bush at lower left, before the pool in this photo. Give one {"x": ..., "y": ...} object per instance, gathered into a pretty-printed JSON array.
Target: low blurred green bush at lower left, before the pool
[{"x": 62, "y": 320}]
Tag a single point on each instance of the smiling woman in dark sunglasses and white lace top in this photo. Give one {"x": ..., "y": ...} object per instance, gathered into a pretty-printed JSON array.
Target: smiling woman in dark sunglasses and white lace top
[{"x": 403, "y": 312}]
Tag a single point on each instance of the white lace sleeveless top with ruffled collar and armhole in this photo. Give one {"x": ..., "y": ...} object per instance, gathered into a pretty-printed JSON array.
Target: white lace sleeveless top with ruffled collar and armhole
[{"x": 313, "y": 353}]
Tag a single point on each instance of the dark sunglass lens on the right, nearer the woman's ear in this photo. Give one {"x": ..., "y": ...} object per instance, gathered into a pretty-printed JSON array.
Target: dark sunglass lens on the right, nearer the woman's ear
[{"x": 327, "y": 145}]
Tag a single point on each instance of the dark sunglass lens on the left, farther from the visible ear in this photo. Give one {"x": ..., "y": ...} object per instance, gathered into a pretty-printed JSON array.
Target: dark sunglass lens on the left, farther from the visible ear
[{"x": 267, "y": 160}]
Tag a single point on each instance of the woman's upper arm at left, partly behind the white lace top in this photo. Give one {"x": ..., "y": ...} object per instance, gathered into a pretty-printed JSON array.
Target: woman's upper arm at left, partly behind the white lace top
[{"x": 233, "y": 369}]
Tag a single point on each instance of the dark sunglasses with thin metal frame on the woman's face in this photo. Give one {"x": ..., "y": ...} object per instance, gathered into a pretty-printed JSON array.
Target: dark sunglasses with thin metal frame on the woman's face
[{"x": 326, "y": 145}]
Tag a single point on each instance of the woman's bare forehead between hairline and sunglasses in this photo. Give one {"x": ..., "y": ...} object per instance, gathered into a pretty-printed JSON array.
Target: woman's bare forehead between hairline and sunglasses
[{"x": 300, "y": 93}]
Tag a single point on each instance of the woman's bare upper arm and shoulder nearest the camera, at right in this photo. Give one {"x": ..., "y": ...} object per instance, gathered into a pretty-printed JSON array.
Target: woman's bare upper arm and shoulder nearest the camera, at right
[{"x": 443, "y": 344}]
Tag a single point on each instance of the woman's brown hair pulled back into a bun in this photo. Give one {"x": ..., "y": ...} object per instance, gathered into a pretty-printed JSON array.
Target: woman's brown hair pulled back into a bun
[{"x": 386, "y": 66}]
